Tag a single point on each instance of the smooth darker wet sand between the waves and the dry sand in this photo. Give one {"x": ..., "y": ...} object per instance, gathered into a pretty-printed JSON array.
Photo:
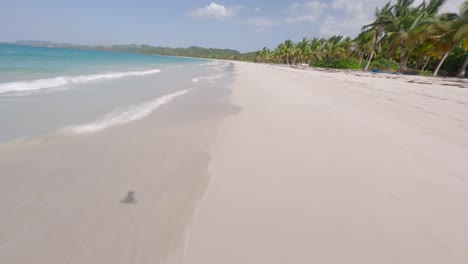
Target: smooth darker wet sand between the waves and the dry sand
[{"x": 123, "y": 195}]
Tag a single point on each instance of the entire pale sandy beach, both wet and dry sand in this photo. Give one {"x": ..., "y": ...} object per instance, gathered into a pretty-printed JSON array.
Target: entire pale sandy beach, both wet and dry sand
[{"x": 282, "y": 166}]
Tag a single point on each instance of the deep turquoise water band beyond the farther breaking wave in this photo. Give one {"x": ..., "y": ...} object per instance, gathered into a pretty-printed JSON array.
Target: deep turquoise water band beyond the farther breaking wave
[{"x": 19, "y": 63}]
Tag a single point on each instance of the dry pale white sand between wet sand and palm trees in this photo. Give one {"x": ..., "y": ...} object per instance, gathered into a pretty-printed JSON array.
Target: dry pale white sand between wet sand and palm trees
[{"x": 337, "y": 168}]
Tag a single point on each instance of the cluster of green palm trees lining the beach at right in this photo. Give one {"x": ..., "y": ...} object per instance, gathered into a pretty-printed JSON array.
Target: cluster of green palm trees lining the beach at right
[{"x": 409, "y": 34}]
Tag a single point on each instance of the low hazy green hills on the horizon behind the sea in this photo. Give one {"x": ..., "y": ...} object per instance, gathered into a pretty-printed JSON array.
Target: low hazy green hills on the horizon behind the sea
[{"x": 197, "y": 52}]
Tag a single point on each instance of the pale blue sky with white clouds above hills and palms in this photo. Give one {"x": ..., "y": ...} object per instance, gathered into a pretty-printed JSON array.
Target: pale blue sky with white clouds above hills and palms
[{"x": 234, "y": 24}]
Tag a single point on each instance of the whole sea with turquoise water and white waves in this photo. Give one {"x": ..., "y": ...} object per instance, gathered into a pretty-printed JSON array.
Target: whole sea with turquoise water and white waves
[{"x": 43, "y": 90}]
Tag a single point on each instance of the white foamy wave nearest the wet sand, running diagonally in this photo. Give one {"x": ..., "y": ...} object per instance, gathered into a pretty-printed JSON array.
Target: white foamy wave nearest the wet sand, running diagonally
[{"x": 126, "y": 115}]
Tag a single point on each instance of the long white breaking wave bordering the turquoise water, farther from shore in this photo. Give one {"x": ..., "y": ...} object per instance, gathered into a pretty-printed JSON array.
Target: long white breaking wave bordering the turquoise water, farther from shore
[{"x": 40, "y": 84}]
